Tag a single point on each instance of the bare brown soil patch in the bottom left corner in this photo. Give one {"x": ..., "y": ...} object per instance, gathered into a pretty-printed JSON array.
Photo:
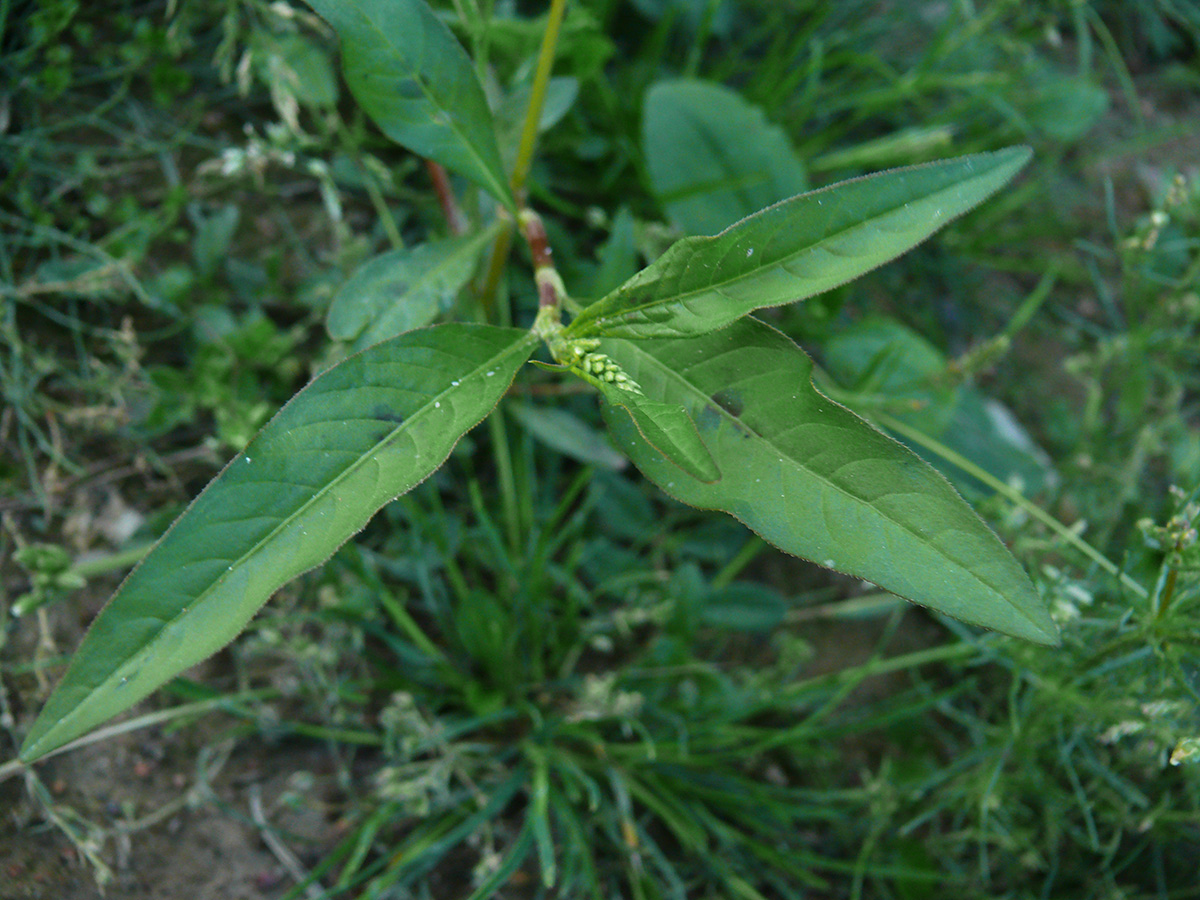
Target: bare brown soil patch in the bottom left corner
[{"x": 170, "y": 824}]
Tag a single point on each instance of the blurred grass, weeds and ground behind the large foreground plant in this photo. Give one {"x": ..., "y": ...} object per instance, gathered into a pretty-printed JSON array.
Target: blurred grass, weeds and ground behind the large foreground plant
[{"x": 536, "y": 675}]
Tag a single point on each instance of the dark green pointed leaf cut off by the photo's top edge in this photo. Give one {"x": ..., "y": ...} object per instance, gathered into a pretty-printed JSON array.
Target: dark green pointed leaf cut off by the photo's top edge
[{"x": 413, "y": 79}]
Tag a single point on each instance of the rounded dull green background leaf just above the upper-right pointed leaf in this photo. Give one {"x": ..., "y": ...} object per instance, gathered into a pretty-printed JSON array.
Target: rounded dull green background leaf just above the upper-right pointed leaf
[{"x": 713, "y": 158}]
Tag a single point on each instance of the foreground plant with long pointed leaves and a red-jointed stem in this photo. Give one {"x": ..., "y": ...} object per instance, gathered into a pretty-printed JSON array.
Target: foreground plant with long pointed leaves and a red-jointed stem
[{"x": 715, "y": 407}]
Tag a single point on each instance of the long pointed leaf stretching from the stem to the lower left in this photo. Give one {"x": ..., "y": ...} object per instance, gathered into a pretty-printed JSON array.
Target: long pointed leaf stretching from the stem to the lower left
[{"x": 358, "y": 436}]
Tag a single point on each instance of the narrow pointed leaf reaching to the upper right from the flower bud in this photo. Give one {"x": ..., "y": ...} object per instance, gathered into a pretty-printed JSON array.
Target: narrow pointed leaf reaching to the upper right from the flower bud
[{"x": 796, "y": 249}]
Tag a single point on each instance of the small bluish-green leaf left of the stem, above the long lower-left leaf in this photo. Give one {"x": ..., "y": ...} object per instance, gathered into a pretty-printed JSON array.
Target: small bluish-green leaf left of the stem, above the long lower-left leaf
[{"x": 404, "y": 290}]
